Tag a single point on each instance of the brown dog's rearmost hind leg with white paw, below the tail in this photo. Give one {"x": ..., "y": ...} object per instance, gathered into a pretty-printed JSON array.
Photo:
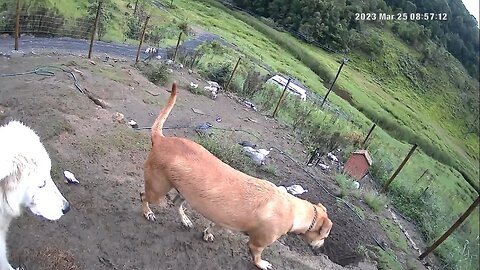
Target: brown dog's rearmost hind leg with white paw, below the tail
[{"x": 155, "y": 189}]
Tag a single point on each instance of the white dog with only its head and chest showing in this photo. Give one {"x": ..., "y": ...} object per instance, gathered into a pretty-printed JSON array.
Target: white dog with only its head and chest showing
[{"x": 25, "y": 181}]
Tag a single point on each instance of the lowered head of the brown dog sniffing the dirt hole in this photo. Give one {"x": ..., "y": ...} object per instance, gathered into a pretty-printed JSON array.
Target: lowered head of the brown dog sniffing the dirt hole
[{"x": 316, "y": 236}]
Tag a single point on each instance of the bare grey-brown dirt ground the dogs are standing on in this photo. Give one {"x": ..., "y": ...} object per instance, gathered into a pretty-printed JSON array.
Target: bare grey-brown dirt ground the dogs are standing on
[{"x": 105, "y": 228}]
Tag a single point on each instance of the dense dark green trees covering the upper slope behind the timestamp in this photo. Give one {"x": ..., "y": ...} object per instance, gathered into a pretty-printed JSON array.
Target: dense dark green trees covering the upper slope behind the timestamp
[{"x": 338, "y": 24}]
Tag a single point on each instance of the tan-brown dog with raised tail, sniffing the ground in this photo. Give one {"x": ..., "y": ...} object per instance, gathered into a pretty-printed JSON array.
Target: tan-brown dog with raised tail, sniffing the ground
[{"x": 227, "y": 197}]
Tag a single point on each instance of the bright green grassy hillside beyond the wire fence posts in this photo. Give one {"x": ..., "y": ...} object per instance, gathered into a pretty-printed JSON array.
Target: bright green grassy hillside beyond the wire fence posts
[{"x": 414, "y": 100}]
